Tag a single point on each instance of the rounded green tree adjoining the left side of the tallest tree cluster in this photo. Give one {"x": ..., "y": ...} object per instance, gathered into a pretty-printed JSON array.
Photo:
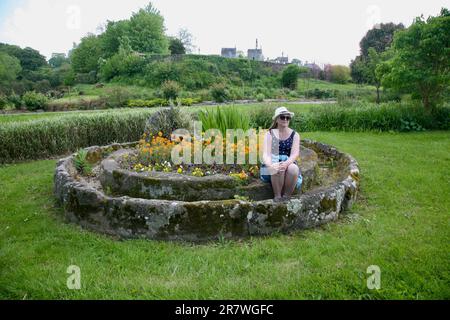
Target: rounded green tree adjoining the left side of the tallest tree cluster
[{"x": 86, "y": 55}]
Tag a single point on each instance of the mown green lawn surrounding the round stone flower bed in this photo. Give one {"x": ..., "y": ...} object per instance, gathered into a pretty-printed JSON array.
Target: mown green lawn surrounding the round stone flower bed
[{"x": 401, "y": 224}]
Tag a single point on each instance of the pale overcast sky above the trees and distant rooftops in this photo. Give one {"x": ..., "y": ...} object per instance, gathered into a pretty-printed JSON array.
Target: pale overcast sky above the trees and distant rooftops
[{"x": 316, "y": 30}]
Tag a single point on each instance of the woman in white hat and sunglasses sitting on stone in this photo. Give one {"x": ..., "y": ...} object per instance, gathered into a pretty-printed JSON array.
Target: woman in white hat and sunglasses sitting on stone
[{"x": 281, "y": 149}]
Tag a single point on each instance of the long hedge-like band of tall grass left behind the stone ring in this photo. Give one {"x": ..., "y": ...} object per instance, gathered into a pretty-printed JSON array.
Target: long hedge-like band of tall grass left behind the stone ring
[{"x": 44, "y": 138}]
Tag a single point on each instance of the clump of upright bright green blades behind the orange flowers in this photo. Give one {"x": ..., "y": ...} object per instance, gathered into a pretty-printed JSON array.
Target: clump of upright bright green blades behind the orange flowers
[{"x": 224, "y": 118}]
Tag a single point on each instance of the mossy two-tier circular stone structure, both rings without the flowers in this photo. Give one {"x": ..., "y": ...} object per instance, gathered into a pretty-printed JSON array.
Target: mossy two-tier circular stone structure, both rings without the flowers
[{"x": 170, "y": 206}]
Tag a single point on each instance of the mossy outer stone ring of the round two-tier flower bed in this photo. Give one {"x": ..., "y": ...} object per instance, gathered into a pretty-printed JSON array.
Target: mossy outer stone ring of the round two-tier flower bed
[{"x": 127, "y": 217}]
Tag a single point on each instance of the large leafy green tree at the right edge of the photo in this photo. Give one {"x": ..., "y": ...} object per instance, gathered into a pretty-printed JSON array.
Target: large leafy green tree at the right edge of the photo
[{"x": 421, "y": 59}]
